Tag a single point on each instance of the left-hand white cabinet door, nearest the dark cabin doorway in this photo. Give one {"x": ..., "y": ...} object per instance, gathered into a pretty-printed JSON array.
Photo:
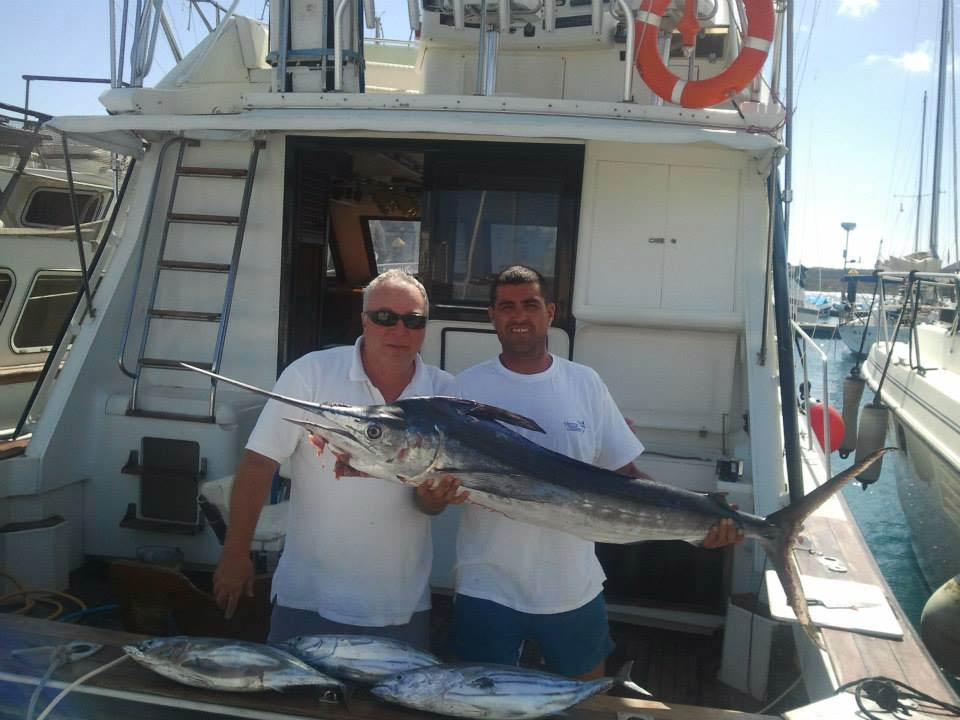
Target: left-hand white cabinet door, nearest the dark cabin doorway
[{"x": 629, "y": 234}]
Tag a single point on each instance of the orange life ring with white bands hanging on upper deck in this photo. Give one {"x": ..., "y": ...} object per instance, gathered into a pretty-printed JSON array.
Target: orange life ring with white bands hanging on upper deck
[{"x": 715, "y": 90}]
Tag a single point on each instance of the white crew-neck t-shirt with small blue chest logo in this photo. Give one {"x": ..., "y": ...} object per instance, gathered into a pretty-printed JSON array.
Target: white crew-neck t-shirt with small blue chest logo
[{"x": 522, "y": 566}]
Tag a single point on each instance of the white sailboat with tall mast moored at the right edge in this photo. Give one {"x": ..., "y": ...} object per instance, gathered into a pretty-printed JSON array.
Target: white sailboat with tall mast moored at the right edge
[{"x": 916, "y": 381}]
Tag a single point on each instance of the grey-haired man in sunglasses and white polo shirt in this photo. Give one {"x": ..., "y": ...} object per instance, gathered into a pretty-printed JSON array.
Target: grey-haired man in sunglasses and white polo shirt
[{"x": 357, "y": 553}]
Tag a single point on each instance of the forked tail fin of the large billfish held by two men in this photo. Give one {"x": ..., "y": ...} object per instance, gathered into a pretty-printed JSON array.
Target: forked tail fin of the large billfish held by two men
[{"x": 789, "y": 521}]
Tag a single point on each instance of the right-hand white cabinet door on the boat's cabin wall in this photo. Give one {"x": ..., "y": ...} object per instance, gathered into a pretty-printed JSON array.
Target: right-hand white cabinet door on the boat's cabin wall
[{"x": 699, "y": 268}]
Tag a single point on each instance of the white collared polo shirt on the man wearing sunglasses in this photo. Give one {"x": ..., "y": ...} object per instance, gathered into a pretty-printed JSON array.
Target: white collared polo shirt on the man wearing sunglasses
[{"x": 357, "y": 550}]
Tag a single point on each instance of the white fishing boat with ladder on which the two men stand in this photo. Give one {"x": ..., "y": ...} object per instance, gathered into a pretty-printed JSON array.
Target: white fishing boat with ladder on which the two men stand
[{"x": 269, "y": 188}]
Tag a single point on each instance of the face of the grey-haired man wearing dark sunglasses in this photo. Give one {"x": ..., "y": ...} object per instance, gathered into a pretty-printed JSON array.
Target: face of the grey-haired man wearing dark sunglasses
[{"x": 399, "y": 344}]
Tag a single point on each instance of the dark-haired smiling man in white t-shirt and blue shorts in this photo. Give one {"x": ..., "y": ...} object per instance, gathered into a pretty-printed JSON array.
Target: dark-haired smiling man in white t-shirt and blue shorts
[{"x": 513, "y": 580}]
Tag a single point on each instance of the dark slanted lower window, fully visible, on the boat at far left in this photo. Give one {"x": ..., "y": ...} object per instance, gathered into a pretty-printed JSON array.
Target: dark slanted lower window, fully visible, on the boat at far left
[{"x": 50, "y": 298}]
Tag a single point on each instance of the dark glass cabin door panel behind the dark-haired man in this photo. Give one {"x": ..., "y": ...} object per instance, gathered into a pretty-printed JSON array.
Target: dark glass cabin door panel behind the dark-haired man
[{"x": 487, "y": 213}]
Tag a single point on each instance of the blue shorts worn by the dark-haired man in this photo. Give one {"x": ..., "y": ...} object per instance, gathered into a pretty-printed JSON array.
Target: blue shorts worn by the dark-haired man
[{"x": 572, "y": 643}]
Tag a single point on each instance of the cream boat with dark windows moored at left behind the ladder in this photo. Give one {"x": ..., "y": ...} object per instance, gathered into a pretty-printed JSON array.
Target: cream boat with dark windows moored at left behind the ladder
[{"x": 40, "y": 265}]
